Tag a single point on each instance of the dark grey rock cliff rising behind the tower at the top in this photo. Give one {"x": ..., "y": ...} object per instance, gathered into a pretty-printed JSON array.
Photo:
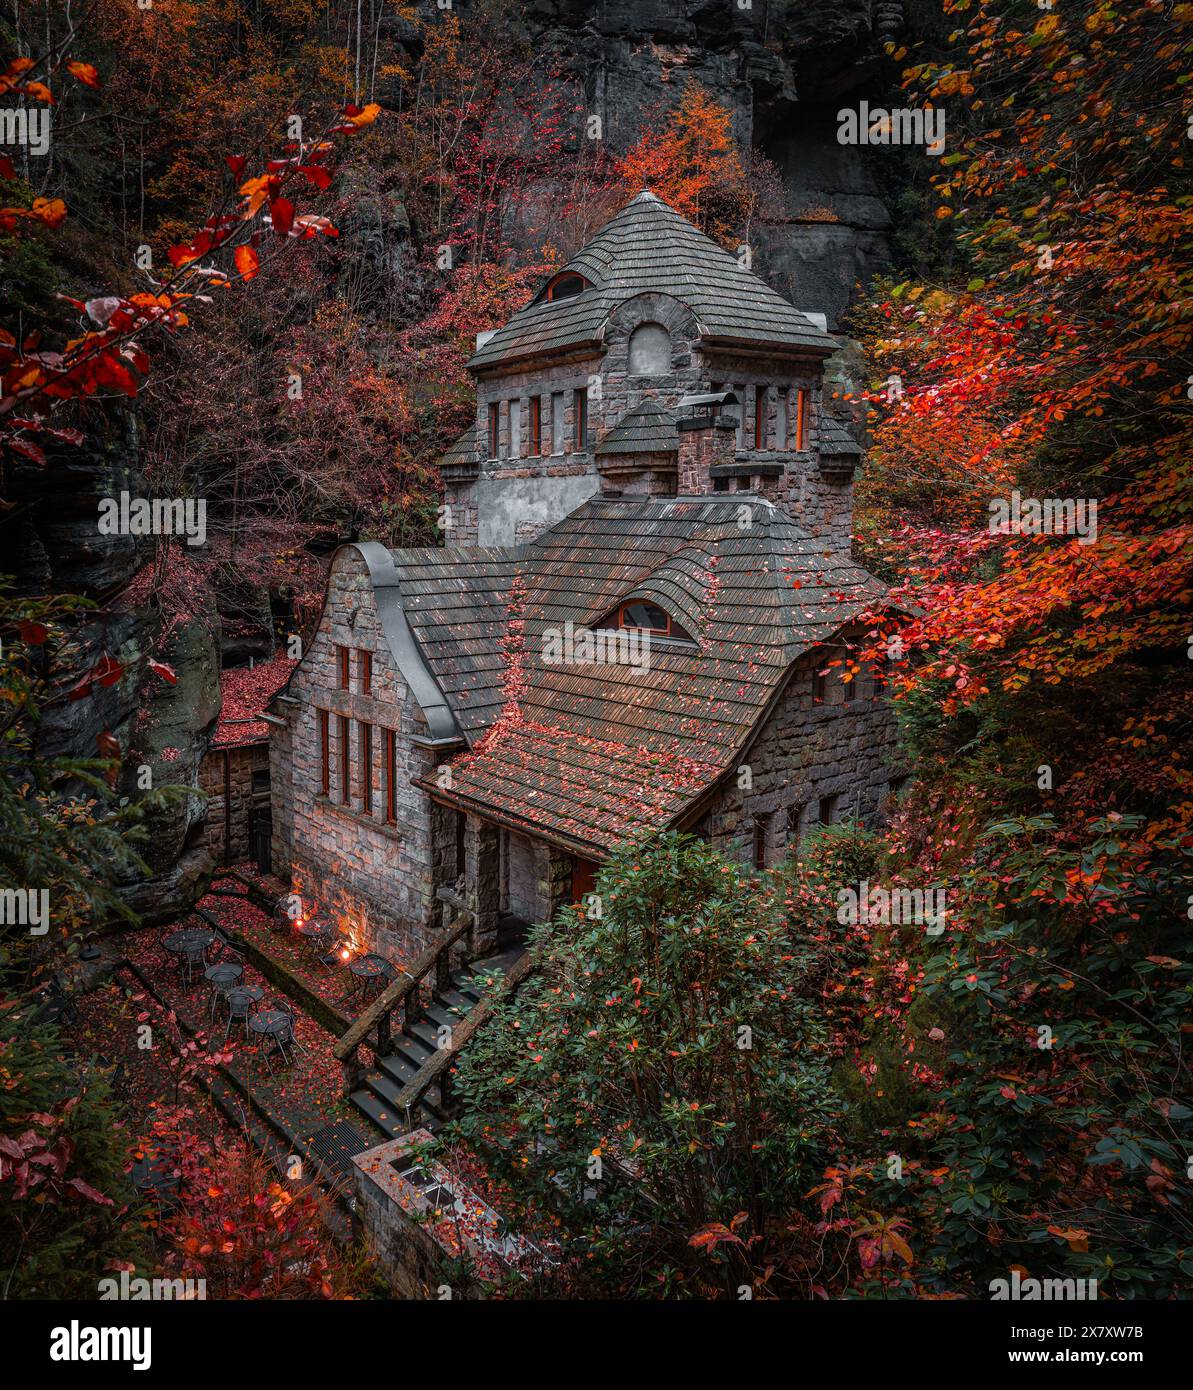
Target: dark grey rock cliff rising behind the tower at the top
[{"x": 784, "y": 69}]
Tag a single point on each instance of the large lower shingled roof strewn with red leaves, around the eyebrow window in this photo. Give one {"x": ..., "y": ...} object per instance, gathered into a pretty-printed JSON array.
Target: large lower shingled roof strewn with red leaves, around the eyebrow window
[{"x": 586, "y": 751}]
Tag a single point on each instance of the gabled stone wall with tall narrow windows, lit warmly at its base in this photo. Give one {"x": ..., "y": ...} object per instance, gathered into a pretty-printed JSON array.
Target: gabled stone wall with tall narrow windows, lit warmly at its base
[{"x": 379, "y": 881}]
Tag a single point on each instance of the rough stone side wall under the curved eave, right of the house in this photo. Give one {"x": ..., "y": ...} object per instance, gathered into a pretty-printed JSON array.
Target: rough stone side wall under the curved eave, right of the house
[{"x": 809, "y": 751}]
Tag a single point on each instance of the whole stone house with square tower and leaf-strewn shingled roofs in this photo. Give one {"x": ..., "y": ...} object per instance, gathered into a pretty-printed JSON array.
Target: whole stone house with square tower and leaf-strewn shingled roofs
[{"x": 639, "y": 618}]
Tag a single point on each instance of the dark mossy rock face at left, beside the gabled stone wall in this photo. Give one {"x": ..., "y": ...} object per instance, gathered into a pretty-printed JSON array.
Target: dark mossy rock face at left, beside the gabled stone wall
[{"x": 56, "y": 547}]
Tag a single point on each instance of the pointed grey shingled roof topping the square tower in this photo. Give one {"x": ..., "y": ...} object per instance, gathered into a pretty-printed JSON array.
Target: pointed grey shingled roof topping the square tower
[{"x": 650, "y": 248}]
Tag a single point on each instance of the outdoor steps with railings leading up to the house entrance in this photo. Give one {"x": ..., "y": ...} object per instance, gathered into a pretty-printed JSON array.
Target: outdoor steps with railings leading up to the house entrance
[{"x": 409, "y": 1050}]
